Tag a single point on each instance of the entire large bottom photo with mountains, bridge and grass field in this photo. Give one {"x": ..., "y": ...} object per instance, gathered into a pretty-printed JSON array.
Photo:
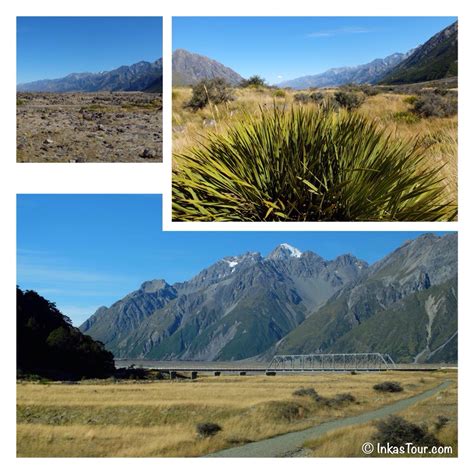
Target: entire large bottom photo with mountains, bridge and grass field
[{"x": 138, "y": 342}]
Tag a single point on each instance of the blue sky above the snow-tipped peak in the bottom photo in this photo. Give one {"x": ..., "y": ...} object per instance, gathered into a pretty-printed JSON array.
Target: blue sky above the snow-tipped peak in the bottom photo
[{"x": 84, "y": 251}]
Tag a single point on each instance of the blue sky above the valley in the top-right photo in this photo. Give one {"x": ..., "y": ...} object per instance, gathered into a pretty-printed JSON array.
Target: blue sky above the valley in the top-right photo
[{"x": 281, "y": 48}]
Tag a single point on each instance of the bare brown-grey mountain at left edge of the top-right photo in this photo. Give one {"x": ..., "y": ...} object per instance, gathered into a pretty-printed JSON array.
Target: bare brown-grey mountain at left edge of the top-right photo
[{"x": 190, "y": 68}]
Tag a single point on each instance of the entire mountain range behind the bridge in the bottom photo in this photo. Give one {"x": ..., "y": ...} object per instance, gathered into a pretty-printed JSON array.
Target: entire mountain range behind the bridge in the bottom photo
[{"x": 251, "y": 306}]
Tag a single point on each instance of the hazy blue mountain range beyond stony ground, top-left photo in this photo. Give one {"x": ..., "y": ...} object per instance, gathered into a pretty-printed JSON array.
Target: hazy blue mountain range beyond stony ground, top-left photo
[{"x": 142, "y": 76}]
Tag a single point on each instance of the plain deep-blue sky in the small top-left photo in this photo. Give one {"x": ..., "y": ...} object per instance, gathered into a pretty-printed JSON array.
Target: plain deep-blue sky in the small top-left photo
[{"x": 52, "y": 47}]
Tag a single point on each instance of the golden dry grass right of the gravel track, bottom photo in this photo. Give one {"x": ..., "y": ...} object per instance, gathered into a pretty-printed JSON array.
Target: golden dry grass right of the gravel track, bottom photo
[{"x": 347, "y": 442}]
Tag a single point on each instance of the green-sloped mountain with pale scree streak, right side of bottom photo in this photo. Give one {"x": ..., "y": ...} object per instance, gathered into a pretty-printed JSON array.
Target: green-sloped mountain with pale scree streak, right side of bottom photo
[{"x": 405, "y": 304}]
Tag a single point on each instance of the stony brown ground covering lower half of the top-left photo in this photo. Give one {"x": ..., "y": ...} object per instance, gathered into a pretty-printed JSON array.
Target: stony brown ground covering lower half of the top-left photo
[{"x": 96, "y": 127}]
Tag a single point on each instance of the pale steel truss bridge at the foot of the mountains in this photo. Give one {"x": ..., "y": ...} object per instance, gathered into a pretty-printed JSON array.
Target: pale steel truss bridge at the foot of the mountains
[{"x": 368, "y": 361}]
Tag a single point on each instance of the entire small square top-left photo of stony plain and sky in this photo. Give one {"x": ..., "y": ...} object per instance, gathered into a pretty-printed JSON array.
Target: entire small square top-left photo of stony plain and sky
[{"x": 89, "y": 89}]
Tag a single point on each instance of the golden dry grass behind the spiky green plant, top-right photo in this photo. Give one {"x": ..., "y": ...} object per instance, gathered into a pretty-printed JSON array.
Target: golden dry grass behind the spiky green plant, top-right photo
[{"x": 191, "y": 128}]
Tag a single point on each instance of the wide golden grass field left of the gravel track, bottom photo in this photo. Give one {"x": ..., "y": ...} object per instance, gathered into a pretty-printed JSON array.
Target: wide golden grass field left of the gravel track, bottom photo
[{"x": 159, "y": 419}]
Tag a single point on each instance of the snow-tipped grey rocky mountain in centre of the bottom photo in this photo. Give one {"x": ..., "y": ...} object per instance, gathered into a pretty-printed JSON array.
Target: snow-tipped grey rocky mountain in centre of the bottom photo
[{"x": 236, "y": 308}]
